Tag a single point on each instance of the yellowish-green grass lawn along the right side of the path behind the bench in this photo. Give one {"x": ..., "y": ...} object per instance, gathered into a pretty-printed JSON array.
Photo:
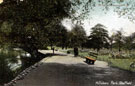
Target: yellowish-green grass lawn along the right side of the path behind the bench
[{"x": 119, "y": 63}]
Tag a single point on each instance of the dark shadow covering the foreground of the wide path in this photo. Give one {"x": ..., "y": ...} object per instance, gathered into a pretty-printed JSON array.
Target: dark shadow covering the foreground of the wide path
[{"x": 55, "y": 74}]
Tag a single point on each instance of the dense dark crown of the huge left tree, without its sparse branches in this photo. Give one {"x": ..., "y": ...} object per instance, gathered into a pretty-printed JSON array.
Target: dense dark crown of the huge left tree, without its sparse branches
[{"x": 30, "y": 20}]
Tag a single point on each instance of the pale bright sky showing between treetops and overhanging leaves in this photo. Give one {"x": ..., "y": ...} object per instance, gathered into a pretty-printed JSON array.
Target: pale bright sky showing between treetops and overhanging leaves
[{"x": 111, "y": 20}]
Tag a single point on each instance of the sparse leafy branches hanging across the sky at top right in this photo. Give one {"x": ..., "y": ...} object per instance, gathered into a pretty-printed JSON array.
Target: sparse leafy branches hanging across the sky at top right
[{"x": 81, "y": 9}]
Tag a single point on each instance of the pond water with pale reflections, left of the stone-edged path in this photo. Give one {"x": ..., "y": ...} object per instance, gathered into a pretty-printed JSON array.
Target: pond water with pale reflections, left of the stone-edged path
[{"x": 11, "y": 64}]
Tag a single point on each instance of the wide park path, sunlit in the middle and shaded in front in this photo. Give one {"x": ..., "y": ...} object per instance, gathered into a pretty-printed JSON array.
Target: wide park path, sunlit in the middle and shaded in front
[{"x": 67, "y": 70}]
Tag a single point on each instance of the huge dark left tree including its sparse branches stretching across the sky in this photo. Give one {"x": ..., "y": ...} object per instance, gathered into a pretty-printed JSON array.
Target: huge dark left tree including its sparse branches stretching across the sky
[{"x": 31, "y": 18}]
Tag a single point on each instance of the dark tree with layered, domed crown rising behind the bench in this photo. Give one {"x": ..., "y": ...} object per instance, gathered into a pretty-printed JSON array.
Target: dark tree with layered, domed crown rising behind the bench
[{"x": 99, "y": 37}]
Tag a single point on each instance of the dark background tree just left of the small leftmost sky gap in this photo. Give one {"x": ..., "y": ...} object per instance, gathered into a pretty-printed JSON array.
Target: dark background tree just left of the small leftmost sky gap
[{"x": 58, "y": 36}]
